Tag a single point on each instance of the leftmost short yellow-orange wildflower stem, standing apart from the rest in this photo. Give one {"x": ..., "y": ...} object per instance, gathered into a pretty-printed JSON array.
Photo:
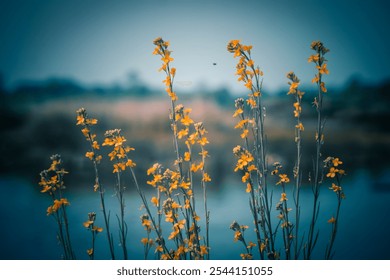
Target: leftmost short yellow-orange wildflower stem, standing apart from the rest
[{"x": 52, "y": 183}]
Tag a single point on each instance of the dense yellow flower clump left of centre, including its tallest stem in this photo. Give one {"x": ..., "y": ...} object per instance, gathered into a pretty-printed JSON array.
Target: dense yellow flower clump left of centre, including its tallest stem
[{"x": 175, "y": 188}]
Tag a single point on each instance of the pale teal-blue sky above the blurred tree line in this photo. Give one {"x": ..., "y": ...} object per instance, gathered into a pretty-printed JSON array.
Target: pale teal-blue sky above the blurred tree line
[{"x": 101, "y": 42}]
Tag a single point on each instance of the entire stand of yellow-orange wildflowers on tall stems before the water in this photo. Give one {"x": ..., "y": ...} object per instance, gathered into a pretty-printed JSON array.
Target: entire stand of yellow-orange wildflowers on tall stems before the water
[{"x": 172, "y": 224}]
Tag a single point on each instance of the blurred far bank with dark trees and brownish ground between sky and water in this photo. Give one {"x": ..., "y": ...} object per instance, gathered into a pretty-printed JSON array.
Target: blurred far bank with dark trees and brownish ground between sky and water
[{"x": 38, "y": 120}]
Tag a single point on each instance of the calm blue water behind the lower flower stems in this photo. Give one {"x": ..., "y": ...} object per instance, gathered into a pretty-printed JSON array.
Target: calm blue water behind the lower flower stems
[{"x": 27, "y": 233}]
